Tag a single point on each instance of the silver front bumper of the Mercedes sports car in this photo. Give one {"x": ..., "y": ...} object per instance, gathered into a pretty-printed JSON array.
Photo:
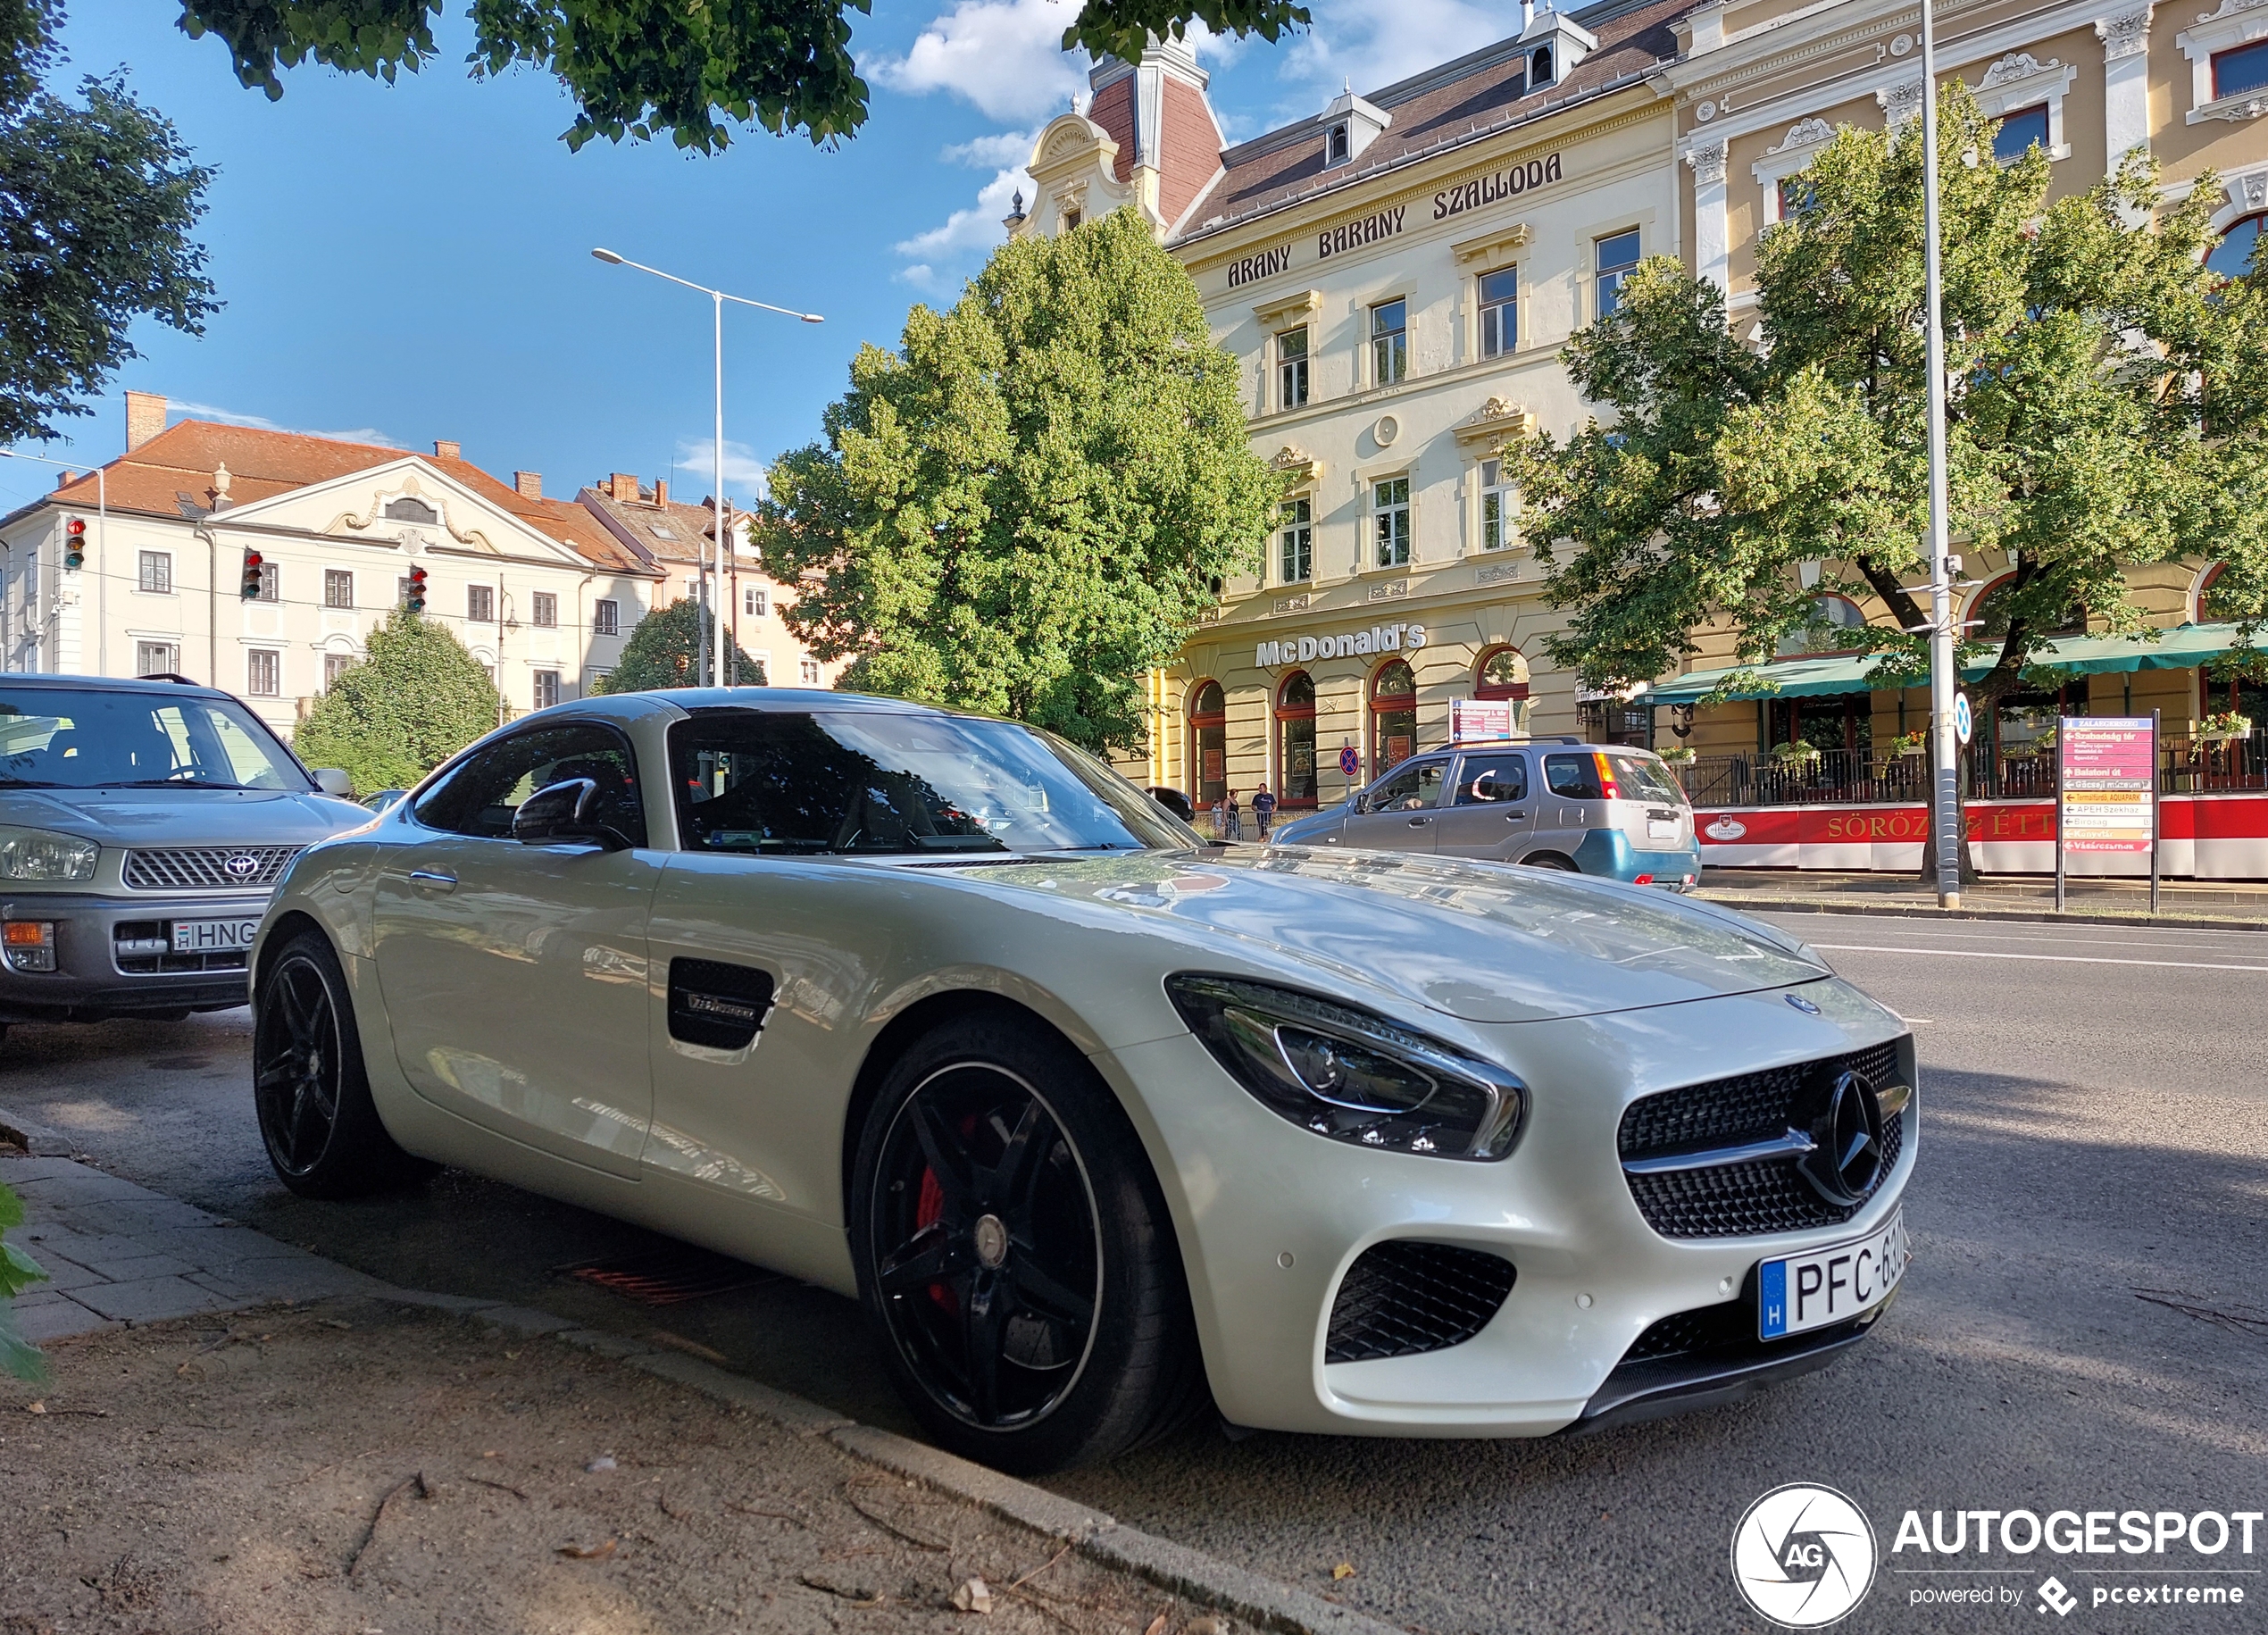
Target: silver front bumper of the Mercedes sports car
[{"x": 1273, "y": 1219}]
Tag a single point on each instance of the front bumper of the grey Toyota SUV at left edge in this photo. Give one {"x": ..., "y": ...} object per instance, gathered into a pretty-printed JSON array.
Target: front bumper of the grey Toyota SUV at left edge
[{"x": 94, "y": 979}]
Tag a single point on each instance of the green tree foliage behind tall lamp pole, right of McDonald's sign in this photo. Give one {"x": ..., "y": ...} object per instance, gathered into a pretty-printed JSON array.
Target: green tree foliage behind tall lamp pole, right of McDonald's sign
[{"x": 2108, "y": 403}]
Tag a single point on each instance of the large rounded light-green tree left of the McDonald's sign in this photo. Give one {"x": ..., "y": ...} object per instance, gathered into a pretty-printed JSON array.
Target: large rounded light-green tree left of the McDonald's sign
[{"x": 1035, "y": 498}]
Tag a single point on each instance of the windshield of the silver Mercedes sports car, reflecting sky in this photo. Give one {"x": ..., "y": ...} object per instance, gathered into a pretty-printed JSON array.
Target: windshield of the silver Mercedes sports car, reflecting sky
[{"x": 883, "y": 783}]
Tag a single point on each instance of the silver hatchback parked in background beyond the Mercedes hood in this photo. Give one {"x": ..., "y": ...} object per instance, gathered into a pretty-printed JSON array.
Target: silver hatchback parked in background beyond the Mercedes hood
[{"x": 1584, "y": 808}]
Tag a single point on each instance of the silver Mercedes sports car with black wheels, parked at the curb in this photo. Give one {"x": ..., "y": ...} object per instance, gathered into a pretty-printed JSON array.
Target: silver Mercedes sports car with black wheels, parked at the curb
[{"x": 1094, "y": 1119}]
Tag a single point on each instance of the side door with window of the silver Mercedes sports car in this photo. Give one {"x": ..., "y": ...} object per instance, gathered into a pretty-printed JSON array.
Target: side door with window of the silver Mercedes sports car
[{"x": 516, "y": 976}]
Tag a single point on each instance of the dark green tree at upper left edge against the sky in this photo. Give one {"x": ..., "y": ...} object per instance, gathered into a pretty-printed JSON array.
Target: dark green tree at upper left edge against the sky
[{"x": 96, "y": 210}]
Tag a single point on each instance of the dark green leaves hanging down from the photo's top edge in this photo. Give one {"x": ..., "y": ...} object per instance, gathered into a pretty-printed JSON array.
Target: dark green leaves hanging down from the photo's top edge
[{"x": 657, "y": 67}]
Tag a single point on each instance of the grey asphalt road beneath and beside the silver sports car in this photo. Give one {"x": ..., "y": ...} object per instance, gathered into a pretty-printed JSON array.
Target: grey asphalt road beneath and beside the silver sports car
[{"x": 2094, "y": 1149}]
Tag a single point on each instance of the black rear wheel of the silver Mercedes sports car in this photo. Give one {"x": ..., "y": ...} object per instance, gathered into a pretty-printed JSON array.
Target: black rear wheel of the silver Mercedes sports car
[{"x": 310, "y": 1087}]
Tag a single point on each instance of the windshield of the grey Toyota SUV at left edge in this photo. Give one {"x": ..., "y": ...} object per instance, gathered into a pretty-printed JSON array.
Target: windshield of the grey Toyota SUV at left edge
[{"x": 60, "y": 738}]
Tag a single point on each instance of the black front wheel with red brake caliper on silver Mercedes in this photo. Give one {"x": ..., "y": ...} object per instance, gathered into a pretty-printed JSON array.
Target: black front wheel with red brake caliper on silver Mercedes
[{"x": 1015, "y": 1253}]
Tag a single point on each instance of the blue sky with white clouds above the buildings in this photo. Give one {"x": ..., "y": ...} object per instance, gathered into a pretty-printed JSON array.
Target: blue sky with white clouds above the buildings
[{"x": 414, "y": 262}]
